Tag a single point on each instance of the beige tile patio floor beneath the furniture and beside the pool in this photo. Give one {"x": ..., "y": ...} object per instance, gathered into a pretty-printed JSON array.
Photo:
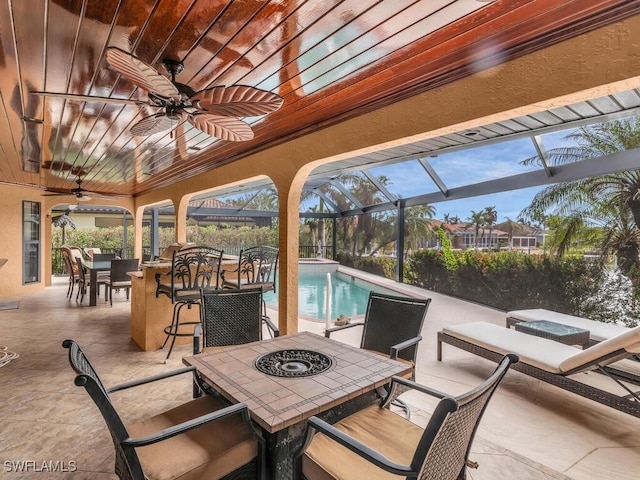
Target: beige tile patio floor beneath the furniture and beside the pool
[{"x": 531, "y": 431}]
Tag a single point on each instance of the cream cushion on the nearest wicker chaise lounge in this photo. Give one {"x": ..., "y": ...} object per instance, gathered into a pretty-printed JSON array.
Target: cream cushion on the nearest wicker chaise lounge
[{"x": 545, "y": 354}]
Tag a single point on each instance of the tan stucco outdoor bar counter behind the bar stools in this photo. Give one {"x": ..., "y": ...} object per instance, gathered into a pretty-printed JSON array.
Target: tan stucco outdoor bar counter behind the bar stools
[{"x": 149, "y": 315}]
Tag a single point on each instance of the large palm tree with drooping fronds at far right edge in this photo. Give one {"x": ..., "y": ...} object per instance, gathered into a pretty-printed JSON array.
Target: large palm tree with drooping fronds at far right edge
[{"x": 611, "y": 202}]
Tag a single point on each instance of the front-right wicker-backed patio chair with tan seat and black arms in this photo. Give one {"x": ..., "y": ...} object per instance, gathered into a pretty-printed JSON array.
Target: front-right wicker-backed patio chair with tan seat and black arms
[{"x": 376, "y": 443}]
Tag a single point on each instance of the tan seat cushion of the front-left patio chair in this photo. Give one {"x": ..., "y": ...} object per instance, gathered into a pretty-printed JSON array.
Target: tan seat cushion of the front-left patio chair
[{"x": 211, "y": 451}]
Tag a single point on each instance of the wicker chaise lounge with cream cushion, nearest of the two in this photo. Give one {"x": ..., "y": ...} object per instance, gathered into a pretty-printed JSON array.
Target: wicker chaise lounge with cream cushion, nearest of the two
[{"x": 554, "y": 362}]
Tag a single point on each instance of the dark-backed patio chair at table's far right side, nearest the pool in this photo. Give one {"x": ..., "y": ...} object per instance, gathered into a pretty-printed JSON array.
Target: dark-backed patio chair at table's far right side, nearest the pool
[{"x": 392, "y": 326}]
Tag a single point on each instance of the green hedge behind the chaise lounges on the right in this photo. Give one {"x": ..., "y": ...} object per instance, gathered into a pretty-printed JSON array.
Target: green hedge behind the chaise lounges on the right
[{"x": 515, "y": 280}]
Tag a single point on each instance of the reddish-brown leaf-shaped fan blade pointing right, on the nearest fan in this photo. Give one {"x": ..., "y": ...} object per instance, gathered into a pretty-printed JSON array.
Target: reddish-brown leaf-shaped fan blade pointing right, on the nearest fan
[{"x": 236, "y": 101}]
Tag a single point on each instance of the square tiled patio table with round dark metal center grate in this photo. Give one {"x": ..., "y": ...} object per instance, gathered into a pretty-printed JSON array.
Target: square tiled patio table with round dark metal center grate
[{"x": 280, "y": 405}]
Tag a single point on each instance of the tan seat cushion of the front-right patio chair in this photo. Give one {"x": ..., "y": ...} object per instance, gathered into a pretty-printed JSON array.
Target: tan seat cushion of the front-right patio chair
[{"x": 380, "y": 429}]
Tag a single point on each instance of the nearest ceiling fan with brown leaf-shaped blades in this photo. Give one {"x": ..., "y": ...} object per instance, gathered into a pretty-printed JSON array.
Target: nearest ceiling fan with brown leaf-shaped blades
[{"x": 214, "y": 111}]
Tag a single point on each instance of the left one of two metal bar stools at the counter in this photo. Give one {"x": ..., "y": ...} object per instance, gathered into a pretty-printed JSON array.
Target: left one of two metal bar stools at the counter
[{"x": 194, "y": 270}]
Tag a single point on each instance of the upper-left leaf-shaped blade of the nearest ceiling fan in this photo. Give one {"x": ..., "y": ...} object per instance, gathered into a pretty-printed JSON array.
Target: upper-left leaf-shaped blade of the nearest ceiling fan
[{"x": 141, "y": 74}]
